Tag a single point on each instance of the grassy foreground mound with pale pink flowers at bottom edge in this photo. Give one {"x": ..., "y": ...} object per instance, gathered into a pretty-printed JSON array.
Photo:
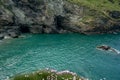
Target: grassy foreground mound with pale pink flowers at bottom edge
[{"x": 47, "y": 75}]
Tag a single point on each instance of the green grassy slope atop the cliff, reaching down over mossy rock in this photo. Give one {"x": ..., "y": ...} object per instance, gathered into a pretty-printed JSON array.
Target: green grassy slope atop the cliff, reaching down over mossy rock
[{"x": 97, "y": 8}]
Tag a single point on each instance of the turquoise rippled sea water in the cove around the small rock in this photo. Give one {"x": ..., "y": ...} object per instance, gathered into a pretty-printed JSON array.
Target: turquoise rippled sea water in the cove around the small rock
[{"x": 73, "y": 52}]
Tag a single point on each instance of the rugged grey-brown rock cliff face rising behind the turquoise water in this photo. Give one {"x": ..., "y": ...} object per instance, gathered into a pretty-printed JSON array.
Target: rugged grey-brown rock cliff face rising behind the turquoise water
[{"x": 55, "y": 16}]
